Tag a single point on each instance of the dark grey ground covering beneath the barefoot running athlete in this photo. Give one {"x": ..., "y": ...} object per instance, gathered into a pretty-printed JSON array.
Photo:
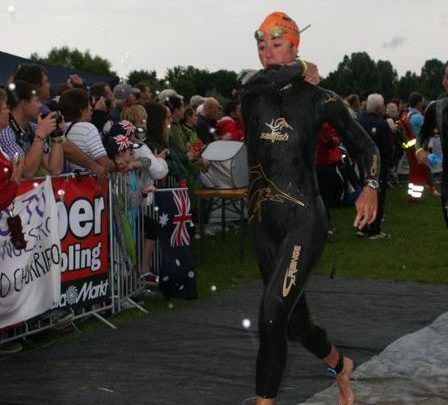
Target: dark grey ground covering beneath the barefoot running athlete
[{"x": 201, "y": 354}]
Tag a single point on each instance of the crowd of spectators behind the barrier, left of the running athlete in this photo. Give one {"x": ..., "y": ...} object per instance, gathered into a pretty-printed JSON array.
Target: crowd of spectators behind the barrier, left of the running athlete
[{"x": 69, "y": 131}]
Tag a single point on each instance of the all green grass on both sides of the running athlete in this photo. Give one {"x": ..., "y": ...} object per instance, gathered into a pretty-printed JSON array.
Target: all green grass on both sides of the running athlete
[{"x": 415, "y": 252}]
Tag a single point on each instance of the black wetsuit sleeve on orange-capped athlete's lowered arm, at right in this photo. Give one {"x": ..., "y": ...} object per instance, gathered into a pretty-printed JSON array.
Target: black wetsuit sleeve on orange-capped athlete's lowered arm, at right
[{"x": 359, "y": 144}]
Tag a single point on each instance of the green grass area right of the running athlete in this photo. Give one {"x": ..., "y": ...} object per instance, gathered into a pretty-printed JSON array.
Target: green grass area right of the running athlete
[{"x": 416, "y": 250}]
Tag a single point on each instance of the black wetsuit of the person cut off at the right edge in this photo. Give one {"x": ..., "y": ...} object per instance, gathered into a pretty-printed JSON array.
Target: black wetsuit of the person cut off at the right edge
[{"x": 436, "y": 117}]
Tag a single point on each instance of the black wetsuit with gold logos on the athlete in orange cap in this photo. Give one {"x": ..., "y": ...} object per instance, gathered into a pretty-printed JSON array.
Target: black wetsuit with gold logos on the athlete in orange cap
[{"x": 283, "y": 116}]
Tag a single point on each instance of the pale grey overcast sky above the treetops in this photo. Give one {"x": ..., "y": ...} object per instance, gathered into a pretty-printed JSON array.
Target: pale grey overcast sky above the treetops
[{"x": 158, "y": 34}]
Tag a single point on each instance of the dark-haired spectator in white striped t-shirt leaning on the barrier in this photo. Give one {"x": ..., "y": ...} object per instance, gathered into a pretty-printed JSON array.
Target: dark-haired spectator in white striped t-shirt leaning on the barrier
[{"x": 75, "y": 105}]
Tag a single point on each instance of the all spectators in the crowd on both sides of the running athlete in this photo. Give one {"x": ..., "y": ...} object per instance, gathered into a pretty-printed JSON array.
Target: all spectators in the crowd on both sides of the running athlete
[{"x": 102, "y": 130}]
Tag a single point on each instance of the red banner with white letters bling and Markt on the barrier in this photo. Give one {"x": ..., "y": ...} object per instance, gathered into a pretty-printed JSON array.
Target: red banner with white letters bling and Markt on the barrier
[{"x": 82, "y": 205}]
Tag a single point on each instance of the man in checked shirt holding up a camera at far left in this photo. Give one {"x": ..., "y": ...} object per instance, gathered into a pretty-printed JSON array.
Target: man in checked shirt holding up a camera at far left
[{"x": 39, "y": 143}]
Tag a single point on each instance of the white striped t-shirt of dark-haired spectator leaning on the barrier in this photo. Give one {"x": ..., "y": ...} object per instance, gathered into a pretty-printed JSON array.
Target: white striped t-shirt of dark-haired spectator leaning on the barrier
[{"x": 87, "y": 138}]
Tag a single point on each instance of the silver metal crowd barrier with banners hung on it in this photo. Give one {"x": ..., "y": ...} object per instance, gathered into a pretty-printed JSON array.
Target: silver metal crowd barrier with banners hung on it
[{"x": 124, "y": 281}]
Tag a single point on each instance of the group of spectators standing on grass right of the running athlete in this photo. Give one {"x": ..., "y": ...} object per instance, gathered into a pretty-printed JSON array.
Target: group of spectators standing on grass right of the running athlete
[{"x": 385, "y": 123}]
